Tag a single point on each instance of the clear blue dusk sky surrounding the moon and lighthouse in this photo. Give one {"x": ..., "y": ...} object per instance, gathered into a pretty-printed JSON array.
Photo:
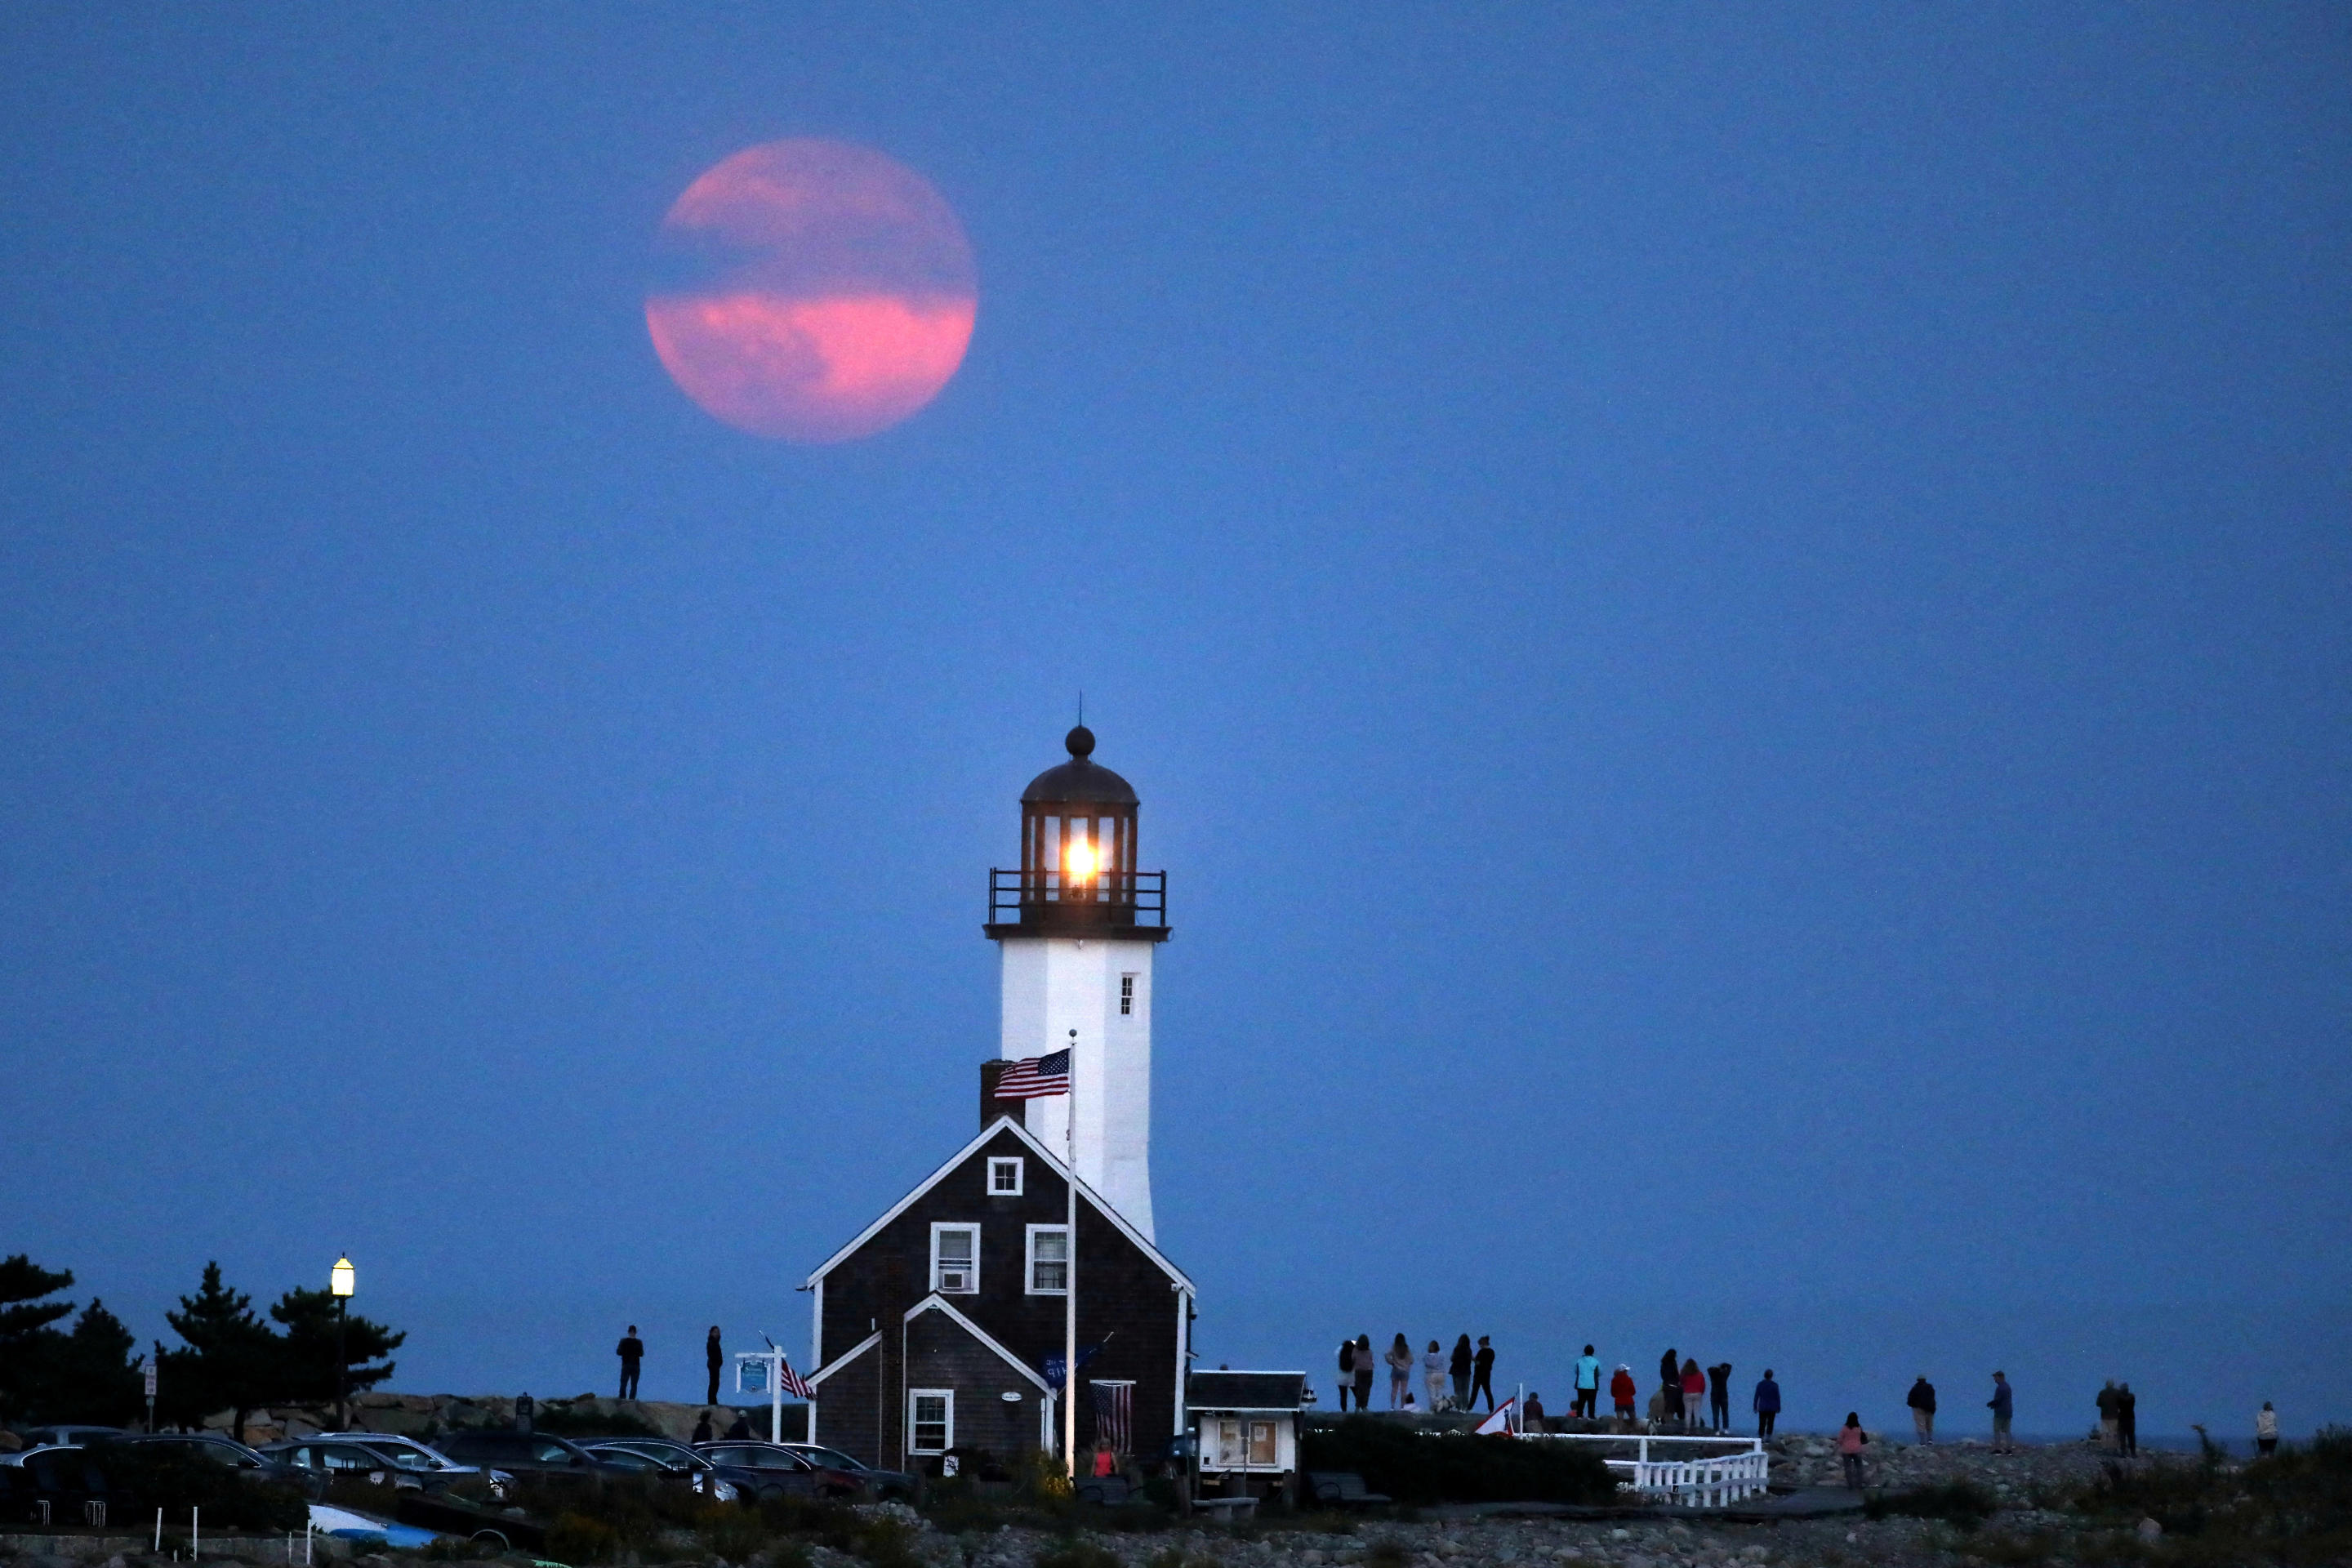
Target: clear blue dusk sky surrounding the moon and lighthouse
[{"x": 1735, "y": 626}]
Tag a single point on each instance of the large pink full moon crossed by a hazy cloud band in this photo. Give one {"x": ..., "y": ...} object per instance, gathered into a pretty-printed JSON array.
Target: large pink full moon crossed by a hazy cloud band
[{"x": 813, "y": 293}]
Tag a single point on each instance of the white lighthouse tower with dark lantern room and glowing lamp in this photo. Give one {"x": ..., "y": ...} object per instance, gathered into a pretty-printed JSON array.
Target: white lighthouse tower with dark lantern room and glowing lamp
[{"x": 1076, "y": 930}]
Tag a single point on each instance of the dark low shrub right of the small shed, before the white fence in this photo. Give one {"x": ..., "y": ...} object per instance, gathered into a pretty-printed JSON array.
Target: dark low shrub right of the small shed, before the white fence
[{"x": 1419, "y": 1468}]
